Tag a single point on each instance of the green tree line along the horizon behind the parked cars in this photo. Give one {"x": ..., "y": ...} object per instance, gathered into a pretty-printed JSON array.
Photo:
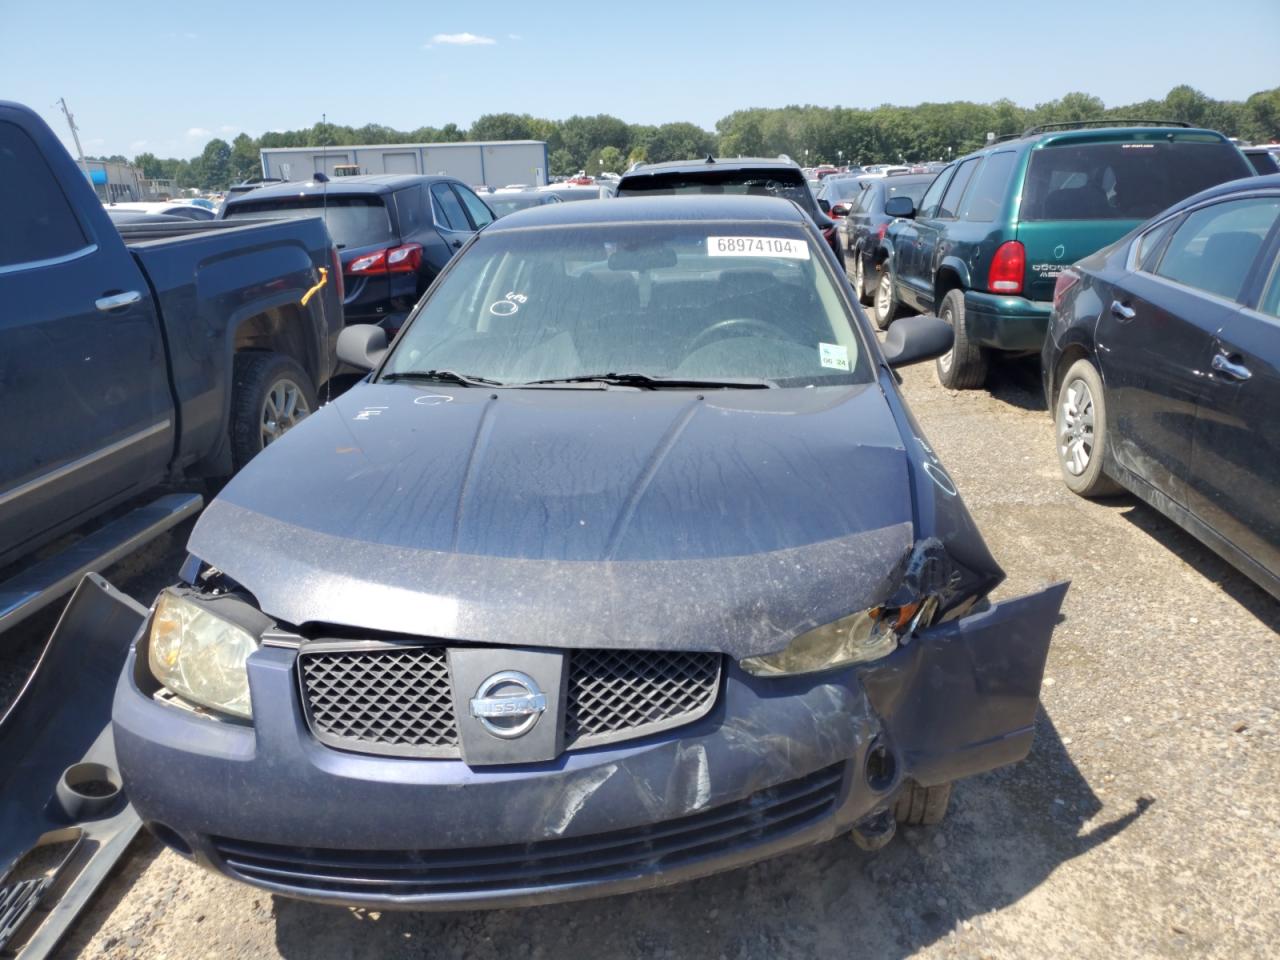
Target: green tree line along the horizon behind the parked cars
[{"x": 810, "y": 135}]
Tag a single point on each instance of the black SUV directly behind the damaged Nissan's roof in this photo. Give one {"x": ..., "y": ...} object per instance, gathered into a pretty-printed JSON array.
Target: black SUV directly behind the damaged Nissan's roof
[{"x": 751, "y": 176}]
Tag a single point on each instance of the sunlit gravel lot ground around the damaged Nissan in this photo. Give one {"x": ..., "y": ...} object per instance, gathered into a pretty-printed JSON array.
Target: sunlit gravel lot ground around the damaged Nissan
[{"x": 1145, "y": 822}]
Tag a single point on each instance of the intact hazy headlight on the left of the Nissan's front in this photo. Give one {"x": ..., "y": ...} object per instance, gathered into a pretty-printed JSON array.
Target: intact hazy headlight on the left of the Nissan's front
[{"x": 199, "y": 656}]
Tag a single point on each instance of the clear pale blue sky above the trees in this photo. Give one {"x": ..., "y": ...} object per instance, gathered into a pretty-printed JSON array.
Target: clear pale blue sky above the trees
[{"x": 167, "y": 77}]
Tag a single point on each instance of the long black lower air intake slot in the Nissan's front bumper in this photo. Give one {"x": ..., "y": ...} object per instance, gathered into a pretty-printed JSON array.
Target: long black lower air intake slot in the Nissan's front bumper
[{"x": 543, "y": 865}]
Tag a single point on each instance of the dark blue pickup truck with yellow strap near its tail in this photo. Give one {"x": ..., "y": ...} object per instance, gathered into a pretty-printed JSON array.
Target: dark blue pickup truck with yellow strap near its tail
[{"x": 136, "y": 358}]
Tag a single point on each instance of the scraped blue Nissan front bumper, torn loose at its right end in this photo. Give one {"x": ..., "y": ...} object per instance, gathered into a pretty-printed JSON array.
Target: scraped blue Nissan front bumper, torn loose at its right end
[{"x": 776, "y": 766}]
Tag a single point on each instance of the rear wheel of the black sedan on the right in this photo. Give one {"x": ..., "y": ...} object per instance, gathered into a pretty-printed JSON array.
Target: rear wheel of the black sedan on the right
[{"x": 1081, "y": 432}]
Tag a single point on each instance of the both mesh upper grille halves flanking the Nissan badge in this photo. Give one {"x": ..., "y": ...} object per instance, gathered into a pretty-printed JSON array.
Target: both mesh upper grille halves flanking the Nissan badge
[{"x": 397, "y": 700}]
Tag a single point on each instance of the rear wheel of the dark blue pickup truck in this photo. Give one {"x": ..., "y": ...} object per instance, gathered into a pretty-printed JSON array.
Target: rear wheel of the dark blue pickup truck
[{"x": 271, "y": 394}]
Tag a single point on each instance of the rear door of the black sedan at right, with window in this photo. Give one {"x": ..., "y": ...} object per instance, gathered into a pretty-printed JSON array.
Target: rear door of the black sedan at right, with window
[{"x": 1156, "y": 333}]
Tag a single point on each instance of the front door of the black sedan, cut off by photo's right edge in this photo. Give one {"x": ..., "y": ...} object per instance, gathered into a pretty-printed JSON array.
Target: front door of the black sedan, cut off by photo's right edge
[{"x": 1236, "y": 455}]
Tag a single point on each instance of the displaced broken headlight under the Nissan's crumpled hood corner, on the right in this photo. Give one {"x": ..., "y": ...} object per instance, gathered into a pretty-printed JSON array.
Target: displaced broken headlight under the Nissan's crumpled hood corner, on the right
[{"x": 858, "y": 638}]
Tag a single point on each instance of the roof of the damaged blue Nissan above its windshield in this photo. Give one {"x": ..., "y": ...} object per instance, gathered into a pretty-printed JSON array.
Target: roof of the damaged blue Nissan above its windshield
[{"x": 682, "y": 209}]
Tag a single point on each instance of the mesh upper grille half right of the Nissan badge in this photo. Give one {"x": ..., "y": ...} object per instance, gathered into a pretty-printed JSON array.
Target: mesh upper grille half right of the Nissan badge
[{"x": 623, "y": 694}]
